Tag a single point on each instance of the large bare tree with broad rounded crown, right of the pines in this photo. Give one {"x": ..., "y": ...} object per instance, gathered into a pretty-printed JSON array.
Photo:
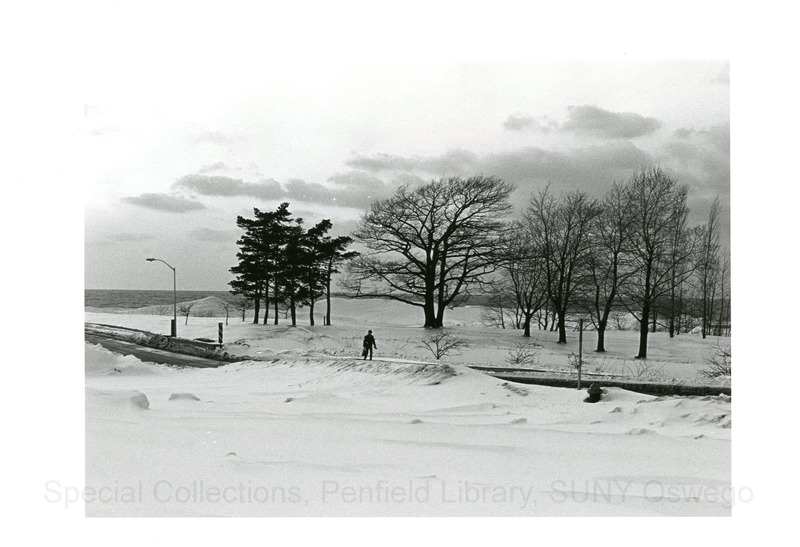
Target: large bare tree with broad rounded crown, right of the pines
[{"x": 429, "y": 244}]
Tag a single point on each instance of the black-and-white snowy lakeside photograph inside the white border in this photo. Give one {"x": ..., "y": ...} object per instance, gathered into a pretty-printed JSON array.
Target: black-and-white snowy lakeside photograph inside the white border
[{"x": 460, "y": 290}]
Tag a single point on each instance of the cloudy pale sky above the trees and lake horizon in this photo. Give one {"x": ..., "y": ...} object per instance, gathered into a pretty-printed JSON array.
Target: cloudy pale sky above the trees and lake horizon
[{"x": 187, "y": 131}]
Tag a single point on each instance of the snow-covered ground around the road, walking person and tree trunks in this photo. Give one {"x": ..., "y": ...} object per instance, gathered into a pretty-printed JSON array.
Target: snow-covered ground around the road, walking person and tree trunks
[{"x": 310, "y": 429}]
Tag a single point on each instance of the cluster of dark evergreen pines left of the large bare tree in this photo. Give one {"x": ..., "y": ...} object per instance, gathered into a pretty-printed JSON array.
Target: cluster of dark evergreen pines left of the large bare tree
[{"x": 283, "y": 264}]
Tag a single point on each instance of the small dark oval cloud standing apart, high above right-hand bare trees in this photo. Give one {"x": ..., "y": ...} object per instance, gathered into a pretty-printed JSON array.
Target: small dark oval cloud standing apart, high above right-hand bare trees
[{"x": 596, "y": 122}]
